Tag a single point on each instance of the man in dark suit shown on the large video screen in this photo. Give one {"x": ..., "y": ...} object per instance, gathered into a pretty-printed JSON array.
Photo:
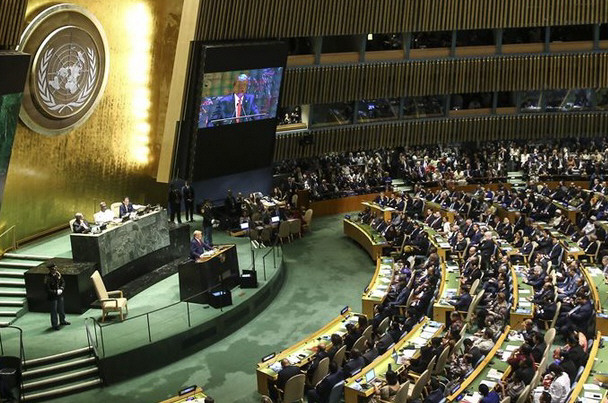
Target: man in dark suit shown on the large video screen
[{"x": 237, "y": 107}]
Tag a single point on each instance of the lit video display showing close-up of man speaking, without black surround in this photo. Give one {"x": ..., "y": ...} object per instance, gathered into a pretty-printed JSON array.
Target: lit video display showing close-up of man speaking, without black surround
[{"x": 239, "y": 96}]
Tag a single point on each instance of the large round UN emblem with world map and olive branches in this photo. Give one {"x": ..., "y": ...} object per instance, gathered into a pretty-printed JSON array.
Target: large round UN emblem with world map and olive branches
[{"x": 69, "y": 69}]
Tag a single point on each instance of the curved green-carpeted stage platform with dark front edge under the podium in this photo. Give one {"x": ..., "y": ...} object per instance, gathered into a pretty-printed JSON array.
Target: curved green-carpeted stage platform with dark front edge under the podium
[{"x": 159, "y": 328}]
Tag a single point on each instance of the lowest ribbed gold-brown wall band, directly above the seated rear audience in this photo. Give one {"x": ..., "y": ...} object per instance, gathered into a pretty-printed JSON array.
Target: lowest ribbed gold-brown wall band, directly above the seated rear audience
[{"x": 401, "y": 133}]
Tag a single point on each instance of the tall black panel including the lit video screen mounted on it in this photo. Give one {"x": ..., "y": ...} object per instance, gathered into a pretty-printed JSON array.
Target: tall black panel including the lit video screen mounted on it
[{"x": 234, "y": 91}]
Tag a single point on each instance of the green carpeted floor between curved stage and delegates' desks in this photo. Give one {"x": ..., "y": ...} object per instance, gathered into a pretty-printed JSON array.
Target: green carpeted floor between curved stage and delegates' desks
[{"x": 324, "y": 272}]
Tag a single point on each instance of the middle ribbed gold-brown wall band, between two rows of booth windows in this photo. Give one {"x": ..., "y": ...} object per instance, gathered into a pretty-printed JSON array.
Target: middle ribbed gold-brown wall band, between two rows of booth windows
[{"x": 326, "y": 84}]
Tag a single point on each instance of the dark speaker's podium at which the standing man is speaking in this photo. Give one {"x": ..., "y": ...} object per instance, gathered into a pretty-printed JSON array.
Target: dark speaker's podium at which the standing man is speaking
[{"x": 214, "y": 273}]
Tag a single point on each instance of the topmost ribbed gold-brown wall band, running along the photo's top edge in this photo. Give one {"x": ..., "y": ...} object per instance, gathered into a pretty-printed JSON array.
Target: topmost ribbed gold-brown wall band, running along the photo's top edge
[{"x": 262, "y": 19}]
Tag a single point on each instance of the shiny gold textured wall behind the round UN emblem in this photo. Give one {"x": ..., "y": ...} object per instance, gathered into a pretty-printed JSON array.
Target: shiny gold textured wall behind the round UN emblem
[{"x": 115, "y": 153}]
